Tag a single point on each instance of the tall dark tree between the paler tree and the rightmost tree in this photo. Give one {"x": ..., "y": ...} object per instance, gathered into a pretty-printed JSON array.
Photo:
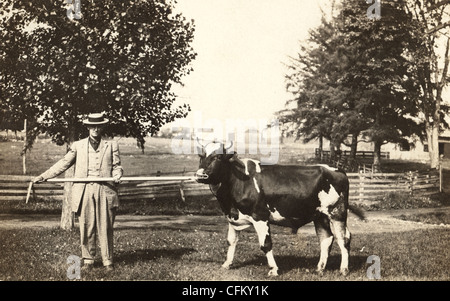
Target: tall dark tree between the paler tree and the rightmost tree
[{"x": 380, "y": 73}]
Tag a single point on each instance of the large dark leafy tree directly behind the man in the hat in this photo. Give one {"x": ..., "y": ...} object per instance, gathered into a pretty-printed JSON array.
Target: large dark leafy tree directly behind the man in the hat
[{"x": 120, "y": 57}]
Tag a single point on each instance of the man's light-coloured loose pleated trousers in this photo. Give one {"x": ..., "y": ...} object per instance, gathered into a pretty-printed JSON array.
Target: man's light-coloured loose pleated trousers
[{"x": 96, "y": 218}]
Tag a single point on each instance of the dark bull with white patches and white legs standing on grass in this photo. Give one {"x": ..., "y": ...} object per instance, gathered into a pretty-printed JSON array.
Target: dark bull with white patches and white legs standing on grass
[{"x": 251, "y": 194}]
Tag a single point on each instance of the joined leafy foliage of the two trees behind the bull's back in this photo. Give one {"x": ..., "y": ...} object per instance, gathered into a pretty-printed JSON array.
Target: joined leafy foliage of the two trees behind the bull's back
[{"x": 356, "y": 77}]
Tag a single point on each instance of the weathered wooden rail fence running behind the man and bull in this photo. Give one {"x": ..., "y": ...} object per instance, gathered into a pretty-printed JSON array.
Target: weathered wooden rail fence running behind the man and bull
[{"x": 363, "y": 187}]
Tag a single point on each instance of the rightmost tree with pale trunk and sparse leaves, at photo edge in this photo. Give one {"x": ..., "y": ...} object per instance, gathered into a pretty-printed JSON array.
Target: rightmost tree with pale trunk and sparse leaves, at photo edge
[{"x": 431, "y": 58}]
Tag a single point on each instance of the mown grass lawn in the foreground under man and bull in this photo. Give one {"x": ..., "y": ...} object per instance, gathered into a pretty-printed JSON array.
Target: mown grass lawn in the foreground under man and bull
[{"x": 197, "y": 254}]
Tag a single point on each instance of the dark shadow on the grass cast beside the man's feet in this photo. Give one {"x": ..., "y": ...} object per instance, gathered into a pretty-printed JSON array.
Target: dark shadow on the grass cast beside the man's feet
[{"x": 151, "y": 254}]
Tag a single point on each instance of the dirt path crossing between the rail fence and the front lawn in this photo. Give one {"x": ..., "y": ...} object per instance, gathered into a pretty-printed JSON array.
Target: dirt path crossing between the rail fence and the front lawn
[{"x": 376, "y": 222}]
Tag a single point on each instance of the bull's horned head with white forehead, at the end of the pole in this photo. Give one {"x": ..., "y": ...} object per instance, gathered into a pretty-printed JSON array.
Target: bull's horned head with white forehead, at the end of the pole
[{"x": 214, "y": 157}]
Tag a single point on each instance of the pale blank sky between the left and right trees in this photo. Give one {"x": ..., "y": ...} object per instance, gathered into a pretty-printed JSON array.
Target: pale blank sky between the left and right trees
[{"x": 242, "y": 48}]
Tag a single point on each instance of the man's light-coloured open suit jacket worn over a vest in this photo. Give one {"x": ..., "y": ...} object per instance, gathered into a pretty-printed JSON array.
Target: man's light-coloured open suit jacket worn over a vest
[{"x": 110, "y": 166}]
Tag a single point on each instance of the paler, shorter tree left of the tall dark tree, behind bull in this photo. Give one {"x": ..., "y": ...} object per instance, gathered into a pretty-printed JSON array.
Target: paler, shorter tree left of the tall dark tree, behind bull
[{"x": 324, "y": 107}]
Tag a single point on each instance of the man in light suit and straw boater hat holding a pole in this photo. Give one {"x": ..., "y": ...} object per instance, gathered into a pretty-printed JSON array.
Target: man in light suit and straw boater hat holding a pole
[{"x": 94, "y": 202}]
